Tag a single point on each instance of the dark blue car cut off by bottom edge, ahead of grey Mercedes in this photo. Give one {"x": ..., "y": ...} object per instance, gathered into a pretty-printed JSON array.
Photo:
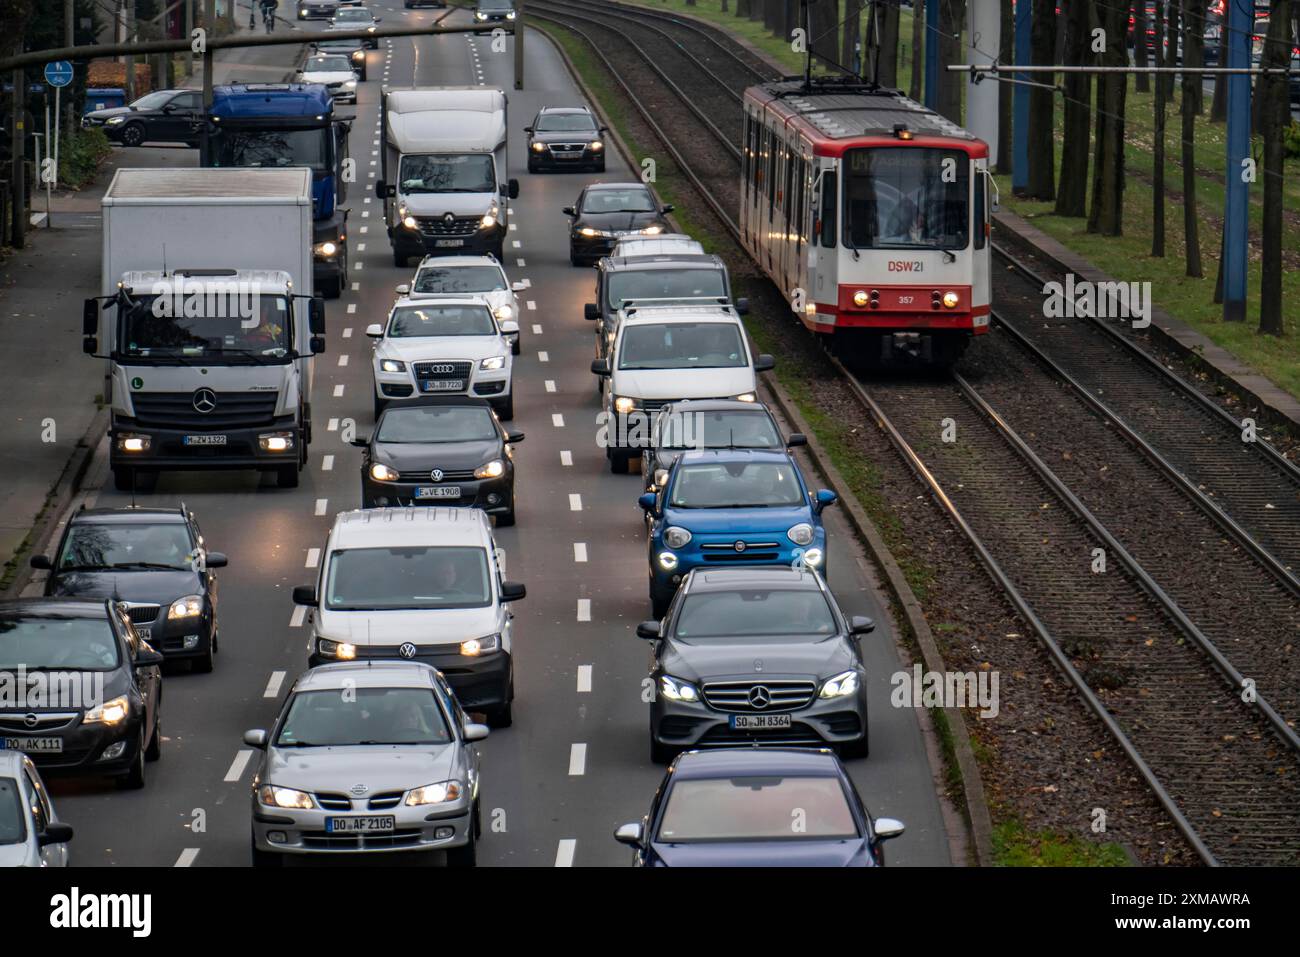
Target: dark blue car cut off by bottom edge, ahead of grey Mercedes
[{"x": 744, "y": 808}]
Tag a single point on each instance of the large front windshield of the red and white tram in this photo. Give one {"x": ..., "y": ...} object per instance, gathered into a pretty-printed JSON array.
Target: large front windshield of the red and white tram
[{"x": 907, "y": 198}]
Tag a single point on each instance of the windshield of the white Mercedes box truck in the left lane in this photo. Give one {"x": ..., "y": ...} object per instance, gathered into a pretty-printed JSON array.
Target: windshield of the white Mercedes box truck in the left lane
[{"x": 237, "y": 327}]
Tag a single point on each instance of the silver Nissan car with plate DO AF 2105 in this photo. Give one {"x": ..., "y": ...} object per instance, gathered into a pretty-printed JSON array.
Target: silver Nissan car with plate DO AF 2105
[{"x": 367, "y": 757}]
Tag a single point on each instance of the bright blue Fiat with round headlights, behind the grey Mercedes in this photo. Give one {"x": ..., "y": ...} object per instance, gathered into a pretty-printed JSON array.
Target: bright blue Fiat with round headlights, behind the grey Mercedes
[{"x": 734, "y": 506}]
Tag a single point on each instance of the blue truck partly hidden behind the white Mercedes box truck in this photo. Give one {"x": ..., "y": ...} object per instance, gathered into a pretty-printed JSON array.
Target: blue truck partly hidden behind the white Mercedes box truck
[{"x": 289, "y": 125}]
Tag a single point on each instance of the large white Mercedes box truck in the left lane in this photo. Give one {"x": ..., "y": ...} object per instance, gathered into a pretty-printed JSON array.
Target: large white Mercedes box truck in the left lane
[{"x": 207, "y": 321}]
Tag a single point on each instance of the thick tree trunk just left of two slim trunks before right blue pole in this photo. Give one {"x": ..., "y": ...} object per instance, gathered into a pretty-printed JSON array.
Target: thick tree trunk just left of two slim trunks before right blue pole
[{"x": 1108, "y": 172}]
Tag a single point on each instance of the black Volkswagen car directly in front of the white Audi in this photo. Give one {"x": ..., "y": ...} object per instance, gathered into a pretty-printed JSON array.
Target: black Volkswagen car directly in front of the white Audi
[{"x": 441, "y": 451}]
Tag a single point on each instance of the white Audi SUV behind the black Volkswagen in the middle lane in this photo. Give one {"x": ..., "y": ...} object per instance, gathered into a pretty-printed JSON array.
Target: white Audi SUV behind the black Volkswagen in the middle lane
[{"x": 452, "y": 347}]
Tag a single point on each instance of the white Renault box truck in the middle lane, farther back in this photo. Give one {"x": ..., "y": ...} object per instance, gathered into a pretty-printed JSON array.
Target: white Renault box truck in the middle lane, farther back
[{"x": 445, "y": 181}]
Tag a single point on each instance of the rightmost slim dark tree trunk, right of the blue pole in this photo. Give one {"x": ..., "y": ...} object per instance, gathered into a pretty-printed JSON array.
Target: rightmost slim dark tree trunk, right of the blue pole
[{"x": 1275, "y": 116}]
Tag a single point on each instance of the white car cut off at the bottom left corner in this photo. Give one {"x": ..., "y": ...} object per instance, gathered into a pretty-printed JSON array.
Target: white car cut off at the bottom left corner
[{"x": 31, "y": 833}]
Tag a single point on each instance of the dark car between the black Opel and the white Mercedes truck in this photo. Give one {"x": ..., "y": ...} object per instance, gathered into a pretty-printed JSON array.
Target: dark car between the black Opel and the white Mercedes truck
[{"x": 155, "y": 564}]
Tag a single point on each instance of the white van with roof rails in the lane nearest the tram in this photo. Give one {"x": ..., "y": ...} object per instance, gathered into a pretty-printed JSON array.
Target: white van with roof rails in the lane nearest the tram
[{"x": 666, "y": 354}]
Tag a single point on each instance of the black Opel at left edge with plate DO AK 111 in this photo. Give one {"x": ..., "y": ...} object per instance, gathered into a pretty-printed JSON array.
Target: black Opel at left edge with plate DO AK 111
[{"x": 99, "y": 714}]
